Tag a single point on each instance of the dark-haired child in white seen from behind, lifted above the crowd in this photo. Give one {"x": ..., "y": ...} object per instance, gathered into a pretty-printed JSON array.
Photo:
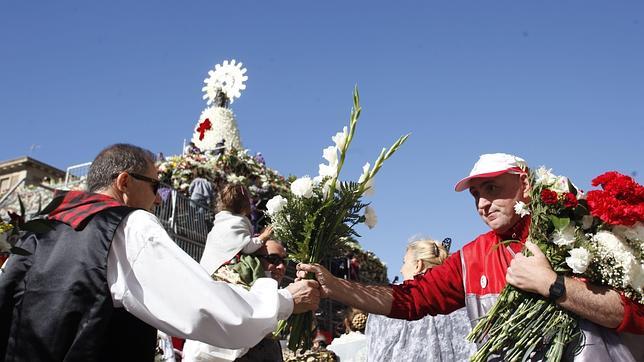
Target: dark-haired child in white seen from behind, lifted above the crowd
[{"x": 232, "y": 232}]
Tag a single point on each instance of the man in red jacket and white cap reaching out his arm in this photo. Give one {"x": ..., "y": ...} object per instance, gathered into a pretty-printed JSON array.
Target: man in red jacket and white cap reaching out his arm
[{"x": 475, "y": 276}]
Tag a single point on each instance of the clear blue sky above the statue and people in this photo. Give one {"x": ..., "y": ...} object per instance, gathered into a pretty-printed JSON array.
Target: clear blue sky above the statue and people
[{"x": 560, "y": 83}]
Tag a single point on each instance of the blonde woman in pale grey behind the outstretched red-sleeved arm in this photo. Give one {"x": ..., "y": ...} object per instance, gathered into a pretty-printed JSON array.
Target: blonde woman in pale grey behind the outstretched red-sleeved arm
[{"x": 439, "y": 338}]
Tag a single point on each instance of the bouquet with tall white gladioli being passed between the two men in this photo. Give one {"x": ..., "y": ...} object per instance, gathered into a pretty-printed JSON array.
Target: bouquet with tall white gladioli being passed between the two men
[{"x": 318, "y": 214}]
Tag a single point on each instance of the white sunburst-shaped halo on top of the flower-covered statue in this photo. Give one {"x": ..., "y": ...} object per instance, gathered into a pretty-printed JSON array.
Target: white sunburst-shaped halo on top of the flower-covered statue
[{"x": 228, "y": 77}]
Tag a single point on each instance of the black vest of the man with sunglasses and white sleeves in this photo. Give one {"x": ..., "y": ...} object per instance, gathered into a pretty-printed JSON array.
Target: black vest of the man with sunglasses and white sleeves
[{"x": 55, "y": 305}]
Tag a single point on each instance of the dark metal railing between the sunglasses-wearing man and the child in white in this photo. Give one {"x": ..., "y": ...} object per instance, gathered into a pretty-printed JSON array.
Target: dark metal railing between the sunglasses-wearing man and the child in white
[{"x": 186, "y": 221}]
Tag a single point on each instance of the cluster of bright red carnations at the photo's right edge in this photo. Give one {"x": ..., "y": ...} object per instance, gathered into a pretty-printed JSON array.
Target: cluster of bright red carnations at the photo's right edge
[{"x": 621, "y": 202}]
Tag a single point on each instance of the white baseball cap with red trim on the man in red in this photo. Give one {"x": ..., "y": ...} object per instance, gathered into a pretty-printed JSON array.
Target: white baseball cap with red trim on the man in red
[{"x": 492, "y": 165}]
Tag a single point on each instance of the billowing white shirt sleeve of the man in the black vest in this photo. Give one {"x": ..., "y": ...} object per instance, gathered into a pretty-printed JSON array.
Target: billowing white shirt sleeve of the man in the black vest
[{"x": 152, "y": 278}]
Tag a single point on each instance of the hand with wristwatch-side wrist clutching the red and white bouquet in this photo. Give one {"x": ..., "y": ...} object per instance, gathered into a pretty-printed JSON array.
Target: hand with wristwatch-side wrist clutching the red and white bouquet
[{"x": 531, "y": 273}]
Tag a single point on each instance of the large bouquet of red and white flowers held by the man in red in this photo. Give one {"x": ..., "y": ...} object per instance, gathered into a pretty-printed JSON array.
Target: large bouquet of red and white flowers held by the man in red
[{"x": 598, "y": 237}]
